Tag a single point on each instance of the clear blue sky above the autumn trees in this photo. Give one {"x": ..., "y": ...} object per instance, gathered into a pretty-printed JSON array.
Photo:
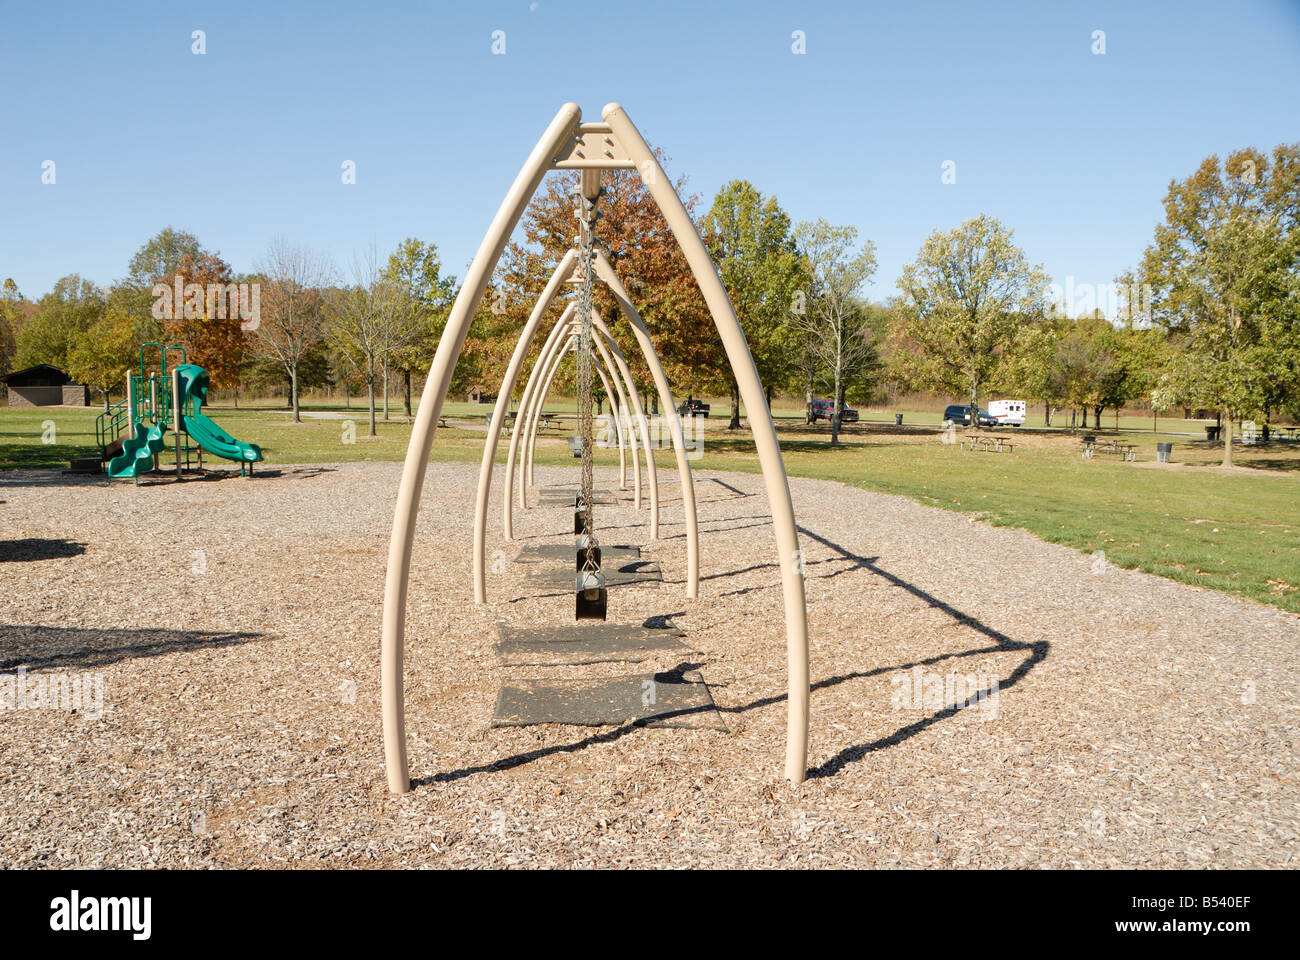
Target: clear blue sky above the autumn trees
[{"x": 1072, "y": 150}]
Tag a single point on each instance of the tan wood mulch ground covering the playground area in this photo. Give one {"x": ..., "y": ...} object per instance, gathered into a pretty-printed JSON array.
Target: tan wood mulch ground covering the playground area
[{"x": 241, "y": 684}]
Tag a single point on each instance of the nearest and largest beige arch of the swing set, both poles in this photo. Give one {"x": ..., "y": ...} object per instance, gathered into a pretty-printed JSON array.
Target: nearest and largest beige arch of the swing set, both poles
[{"x": 571, "y": 145}]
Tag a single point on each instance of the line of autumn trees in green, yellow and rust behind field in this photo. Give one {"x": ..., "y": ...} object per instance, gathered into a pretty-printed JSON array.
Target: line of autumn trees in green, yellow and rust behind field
[{"x": 1210, "y": 319}]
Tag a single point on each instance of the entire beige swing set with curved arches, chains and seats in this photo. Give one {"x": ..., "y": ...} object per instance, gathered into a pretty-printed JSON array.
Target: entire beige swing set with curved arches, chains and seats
[{"x": 590, "y": 148}]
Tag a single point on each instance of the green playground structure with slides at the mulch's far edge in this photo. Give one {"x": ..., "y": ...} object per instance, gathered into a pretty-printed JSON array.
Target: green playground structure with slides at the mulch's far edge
[{"x": 132, "y": 434}]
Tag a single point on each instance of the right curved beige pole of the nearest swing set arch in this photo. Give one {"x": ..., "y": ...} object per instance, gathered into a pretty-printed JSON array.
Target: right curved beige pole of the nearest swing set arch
[{"x": 760, "y": 423}]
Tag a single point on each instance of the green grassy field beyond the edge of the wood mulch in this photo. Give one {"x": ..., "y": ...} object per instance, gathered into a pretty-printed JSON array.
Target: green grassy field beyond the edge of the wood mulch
[{"x": 1237, "y": 531}]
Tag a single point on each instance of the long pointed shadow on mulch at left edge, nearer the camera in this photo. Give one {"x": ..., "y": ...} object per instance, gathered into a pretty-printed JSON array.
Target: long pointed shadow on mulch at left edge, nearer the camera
[{"x": 41, "y": 648}]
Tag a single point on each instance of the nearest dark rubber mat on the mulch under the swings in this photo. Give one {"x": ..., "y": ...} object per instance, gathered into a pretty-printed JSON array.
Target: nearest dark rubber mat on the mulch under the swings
[{"x": 645, "y": 700}]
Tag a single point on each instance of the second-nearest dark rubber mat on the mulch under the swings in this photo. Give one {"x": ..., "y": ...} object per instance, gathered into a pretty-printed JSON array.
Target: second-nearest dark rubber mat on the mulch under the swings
[{"x": 586, "y": 643}]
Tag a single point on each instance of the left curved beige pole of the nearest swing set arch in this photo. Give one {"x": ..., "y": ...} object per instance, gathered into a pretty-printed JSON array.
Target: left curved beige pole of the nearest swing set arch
[{"x": 553, "y": 141}]
